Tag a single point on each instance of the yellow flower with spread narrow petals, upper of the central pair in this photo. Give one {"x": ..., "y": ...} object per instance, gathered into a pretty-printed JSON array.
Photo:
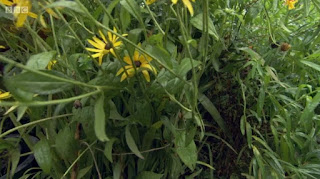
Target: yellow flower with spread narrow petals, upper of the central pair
[{"x": 104, "y": 47}]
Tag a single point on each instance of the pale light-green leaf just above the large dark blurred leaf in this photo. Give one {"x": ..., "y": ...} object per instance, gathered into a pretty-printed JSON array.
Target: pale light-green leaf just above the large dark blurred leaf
[{"x": 40, "y": 61}]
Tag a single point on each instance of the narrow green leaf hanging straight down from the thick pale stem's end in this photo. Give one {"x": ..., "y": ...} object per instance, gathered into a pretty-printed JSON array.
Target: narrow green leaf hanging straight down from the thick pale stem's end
[{"x": 100, "y": 119}]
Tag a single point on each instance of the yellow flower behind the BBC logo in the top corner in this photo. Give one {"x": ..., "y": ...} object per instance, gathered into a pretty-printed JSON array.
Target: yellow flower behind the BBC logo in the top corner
[{"x": 21, "y": 10}]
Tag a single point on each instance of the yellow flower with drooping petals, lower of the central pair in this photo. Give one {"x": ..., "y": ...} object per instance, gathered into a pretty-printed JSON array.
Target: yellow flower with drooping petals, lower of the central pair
[{"x": 140, "y": 61}]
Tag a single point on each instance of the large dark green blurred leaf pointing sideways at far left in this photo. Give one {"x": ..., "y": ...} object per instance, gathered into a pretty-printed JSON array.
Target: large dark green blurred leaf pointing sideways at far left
[{"x": 35, "y": 83}]
